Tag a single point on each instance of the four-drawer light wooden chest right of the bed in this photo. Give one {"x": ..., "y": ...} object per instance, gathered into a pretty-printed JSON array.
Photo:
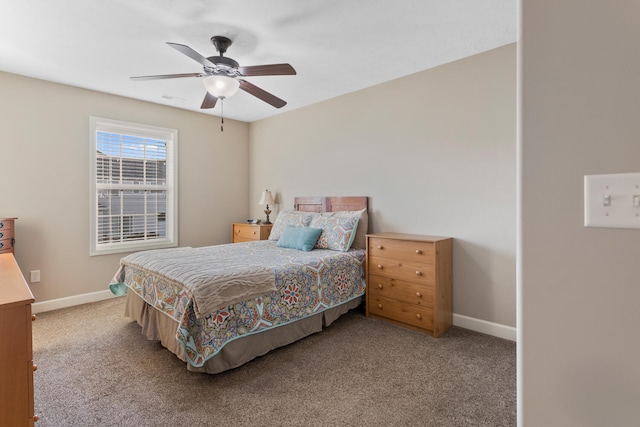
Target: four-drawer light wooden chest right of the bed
[{"x": 409, "y": 280}]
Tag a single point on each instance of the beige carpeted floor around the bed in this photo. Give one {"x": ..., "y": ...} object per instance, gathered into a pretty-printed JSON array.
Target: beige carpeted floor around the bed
[{"x": 95, "y": 368}]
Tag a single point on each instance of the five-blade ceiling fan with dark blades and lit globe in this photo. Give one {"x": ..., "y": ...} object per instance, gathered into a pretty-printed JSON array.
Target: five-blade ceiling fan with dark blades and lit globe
[{"x": 223, "y": 76}]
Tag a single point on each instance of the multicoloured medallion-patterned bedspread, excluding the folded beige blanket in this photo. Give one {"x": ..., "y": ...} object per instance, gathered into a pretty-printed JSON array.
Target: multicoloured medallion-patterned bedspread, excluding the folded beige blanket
[{"x": 306, "y": 283}]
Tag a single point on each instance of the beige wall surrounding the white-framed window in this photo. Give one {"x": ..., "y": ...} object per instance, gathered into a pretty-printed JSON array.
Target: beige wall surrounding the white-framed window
[{"x": 45, "y": 178}]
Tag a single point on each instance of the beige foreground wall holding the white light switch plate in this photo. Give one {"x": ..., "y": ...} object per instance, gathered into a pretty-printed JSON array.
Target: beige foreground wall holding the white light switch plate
[{"x": 580, "y": 287}]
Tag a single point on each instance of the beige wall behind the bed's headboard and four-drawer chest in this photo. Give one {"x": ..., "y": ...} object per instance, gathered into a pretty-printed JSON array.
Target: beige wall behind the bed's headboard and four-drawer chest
[{"x": 436, "y": 154}]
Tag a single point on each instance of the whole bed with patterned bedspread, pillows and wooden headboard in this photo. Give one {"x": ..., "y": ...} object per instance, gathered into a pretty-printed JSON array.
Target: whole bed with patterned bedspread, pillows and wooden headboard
[{"x": 285, "y": 293}]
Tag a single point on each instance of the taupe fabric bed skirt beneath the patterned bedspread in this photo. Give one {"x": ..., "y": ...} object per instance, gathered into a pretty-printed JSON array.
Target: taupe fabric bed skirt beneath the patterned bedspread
[{"x": 159, "y": 327}]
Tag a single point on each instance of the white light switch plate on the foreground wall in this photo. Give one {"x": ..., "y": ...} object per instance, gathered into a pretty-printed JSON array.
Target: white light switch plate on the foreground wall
[{"x": 611, "y": 200}]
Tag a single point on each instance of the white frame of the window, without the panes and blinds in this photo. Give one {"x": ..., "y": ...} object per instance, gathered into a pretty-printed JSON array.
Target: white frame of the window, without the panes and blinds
[{"x": 98, "y": 124}]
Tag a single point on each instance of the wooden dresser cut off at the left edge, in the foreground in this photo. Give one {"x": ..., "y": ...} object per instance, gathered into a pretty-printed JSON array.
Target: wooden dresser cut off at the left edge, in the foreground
[{"x": 16, "y": 358}]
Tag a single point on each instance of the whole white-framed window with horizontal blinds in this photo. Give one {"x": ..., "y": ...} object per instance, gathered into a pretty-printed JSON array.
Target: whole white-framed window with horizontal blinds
[{"x": 133, "y": 187}]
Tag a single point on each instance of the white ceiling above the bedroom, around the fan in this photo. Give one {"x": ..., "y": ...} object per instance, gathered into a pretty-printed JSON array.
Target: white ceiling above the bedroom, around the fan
[{"x": 336, "y": 46}]
